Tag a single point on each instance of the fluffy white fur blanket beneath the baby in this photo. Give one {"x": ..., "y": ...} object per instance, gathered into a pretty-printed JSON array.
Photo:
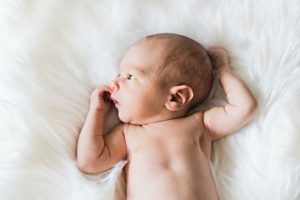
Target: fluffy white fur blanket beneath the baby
[{"x": 54, "y": 52}]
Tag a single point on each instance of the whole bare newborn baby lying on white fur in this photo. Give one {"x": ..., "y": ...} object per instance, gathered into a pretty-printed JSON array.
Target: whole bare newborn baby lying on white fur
[{"x": 162, "y": 77}]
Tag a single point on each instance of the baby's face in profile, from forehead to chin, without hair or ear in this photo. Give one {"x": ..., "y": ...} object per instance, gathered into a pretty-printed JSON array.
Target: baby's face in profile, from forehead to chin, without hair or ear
[{"x": 136, "y": 92}]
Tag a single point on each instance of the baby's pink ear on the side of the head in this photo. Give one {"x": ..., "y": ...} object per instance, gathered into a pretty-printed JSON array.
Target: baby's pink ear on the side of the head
[{"x": 178, "y": 97}]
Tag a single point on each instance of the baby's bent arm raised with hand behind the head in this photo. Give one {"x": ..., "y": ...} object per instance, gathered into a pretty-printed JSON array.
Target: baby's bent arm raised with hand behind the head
[{"x": 224, "y": 120}]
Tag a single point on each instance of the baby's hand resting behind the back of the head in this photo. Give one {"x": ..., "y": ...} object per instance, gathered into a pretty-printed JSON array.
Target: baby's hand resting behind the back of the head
[{"x": 219, "y": 57}]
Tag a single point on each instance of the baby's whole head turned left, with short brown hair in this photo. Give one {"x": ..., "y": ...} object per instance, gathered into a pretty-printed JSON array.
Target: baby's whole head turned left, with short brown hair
[{"x": 161, "y": 77}]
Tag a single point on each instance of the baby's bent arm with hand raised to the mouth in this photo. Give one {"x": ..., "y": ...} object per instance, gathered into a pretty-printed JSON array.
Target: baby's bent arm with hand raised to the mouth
[{"x": 96, "y": 152}]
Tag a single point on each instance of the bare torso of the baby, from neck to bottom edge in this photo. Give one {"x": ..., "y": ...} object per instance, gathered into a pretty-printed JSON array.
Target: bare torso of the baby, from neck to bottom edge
[{"x": 169, "y": 160}]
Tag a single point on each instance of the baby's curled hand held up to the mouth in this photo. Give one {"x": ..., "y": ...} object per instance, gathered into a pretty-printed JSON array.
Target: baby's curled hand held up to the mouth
[{"x": 100, "y": 99}]
